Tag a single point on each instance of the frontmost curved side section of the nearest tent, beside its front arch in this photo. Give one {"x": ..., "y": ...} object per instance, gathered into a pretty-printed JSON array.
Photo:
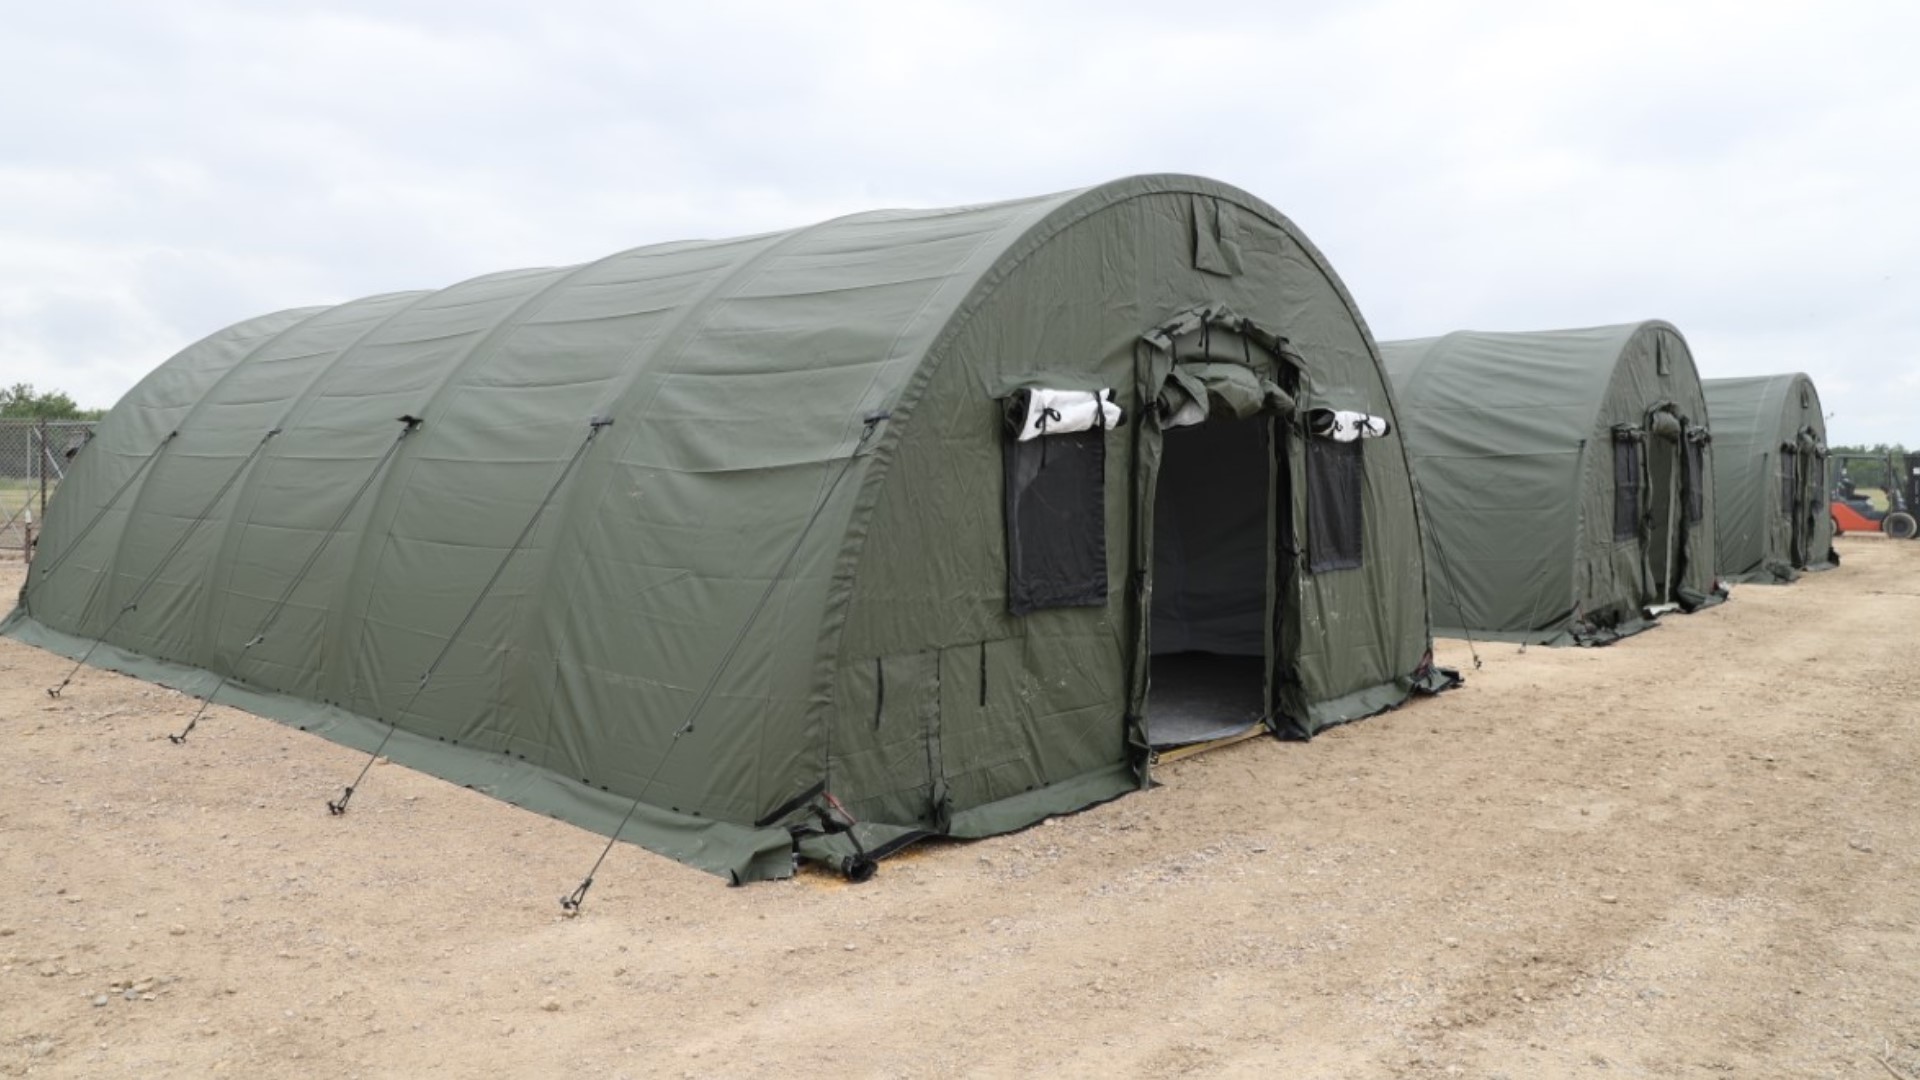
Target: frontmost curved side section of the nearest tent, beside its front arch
[{"x": 740, "y": 433}]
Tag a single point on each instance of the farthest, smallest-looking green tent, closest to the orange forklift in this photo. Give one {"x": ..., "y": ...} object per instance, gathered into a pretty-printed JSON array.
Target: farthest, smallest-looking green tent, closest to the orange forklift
[{"x": 1769, "y": 478}]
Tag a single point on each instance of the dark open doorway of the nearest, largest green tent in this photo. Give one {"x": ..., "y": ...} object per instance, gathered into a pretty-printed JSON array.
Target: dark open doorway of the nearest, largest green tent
[{"x": 1212, "y": 599}]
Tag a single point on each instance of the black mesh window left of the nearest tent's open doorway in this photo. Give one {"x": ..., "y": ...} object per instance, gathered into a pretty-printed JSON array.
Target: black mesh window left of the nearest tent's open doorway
[{"x": 1057, "y": 522}]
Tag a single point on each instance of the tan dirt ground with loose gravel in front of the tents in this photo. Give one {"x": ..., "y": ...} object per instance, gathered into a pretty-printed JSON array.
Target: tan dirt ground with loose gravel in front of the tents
[{"x": 1692, "y": 854}]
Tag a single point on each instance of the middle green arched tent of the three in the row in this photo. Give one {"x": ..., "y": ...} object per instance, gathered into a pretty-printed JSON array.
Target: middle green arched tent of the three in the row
[{"x": 1564, "y": 478}]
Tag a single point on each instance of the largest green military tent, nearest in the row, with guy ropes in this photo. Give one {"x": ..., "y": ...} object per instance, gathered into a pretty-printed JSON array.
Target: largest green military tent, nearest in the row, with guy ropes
[{"x": 798, "y": 545}]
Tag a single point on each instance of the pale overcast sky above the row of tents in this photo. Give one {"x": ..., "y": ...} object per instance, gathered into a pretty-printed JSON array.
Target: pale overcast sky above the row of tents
[{"x": 1744, "y": 170}]
